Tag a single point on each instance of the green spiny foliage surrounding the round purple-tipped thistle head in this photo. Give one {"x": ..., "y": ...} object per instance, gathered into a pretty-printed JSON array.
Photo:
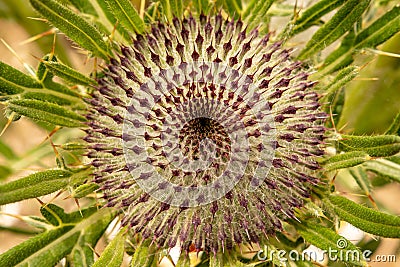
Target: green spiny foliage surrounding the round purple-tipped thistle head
[{"x": 347, "y": 43}]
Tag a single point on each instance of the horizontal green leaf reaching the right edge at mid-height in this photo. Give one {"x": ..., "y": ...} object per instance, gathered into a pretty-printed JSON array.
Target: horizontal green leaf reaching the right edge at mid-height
[{"x": 375, "y": 146}]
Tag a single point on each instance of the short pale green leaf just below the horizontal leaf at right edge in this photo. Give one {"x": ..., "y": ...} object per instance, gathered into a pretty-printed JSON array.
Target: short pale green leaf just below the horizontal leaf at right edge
[{"x": 345, "y": 160}]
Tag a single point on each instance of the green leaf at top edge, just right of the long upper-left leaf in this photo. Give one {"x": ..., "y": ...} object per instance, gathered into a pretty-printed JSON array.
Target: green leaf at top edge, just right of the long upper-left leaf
[{"x": 127, "y": 15}]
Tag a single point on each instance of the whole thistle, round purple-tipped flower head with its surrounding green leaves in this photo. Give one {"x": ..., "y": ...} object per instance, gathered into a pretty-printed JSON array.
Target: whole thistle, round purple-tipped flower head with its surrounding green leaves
[{"x": 206, "y": 130}]
